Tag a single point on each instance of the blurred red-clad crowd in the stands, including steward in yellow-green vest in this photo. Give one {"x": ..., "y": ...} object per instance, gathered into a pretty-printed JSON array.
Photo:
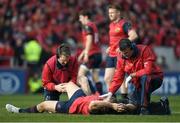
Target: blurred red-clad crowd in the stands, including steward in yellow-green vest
[{"x": 37, "y": 27}]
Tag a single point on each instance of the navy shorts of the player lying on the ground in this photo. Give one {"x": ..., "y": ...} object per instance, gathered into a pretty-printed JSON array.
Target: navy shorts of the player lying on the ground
[{"x": 63, "y": 106}]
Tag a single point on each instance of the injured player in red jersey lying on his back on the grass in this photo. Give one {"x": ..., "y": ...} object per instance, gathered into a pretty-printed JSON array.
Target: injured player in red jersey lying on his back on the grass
[{"x": 78, "y": 103}]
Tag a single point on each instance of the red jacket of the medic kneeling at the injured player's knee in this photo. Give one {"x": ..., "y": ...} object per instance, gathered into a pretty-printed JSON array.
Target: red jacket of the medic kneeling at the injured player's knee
[{"x": 52, "y": 75}]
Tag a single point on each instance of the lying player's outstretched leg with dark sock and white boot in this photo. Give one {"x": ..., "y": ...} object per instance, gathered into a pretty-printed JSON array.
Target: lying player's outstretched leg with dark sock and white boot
[{"x": 41, "y": 107}]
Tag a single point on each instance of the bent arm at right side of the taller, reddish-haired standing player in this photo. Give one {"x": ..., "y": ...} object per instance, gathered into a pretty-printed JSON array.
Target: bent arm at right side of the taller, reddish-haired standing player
[{"x": 132, "y": 35}]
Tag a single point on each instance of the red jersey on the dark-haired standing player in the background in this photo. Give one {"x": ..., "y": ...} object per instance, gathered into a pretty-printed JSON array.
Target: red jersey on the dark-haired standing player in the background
[{"x": 91, "y": 29}]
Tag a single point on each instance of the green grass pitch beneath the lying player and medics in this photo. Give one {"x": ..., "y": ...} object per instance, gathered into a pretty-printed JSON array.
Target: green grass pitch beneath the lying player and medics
[{"x": 30, "y": 100}]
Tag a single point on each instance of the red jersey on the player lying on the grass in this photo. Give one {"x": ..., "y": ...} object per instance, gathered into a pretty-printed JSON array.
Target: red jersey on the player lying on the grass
[{"x": 81, "y": 104}]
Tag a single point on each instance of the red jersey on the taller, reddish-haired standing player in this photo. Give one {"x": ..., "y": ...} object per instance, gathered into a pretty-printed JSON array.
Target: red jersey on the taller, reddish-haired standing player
[{"x": 116, "y": 33}]
